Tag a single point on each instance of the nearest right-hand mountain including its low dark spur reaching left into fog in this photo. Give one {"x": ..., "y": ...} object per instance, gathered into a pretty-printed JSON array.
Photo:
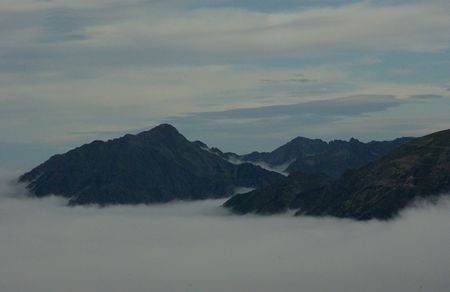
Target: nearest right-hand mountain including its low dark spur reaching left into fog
[{"x": 418, "y": 169}]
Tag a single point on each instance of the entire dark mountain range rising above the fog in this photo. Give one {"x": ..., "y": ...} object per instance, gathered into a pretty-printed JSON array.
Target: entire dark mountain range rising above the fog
[{"x": 348, "y": 179}]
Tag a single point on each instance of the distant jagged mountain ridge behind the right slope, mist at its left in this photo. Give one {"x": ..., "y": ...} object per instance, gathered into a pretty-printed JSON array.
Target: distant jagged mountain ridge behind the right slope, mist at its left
[{"x": 316, "y": 156}]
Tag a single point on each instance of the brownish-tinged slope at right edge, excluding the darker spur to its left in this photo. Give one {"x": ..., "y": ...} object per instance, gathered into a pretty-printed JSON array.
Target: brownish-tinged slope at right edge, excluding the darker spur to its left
[{"x": 418, "y": 169}]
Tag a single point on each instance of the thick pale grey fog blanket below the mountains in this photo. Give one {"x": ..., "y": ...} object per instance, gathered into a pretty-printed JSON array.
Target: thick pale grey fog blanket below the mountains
[{"x": 46, "y": 246}]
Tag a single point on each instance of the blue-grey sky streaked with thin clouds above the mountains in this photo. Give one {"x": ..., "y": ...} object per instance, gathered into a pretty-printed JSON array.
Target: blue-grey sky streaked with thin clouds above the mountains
[{"x": 239, "y": 75}]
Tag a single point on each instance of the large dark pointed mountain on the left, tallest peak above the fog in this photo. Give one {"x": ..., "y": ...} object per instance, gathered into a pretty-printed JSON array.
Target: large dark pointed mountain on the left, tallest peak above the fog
[{"x": 155, "y": 166}]
